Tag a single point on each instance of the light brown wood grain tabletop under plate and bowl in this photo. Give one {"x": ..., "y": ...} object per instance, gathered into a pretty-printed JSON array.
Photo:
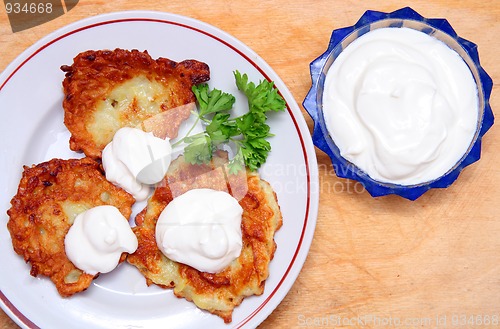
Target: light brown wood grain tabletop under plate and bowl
[{"x": 427, "y": 263}]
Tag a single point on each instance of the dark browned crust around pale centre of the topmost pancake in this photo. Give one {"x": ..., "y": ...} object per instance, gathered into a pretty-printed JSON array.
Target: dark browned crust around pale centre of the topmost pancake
[{"x": 94, "y": 74}]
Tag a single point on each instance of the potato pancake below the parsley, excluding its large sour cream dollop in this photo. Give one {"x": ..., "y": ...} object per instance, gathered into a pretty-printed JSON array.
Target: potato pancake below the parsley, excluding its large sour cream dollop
[{"x": 217, "y": 293}]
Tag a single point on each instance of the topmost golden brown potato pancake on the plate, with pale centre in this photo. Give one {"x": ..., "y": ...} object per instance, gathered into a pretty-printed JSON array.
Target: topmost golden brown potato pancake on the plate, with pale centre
[{"x": 106, "y": 90}]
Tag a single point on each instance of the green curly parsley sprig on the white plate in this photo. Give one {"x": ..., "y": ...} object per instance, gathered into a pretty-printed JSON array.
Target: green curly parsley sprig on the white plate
[{"x": 249, "y": 132}]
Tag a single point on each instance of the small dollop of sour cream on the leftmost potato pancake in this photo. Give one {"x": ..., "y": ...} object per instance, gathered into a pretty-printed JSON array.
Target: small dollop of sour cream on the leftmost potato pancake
[{"x": 97, "y": 239}]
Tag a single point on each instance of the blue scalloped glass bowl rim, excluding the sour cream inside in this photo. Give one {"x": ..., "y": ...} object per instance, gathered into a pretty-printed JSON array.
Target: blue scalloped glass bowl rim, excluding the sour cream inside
[{"x": 405, "y": 17}]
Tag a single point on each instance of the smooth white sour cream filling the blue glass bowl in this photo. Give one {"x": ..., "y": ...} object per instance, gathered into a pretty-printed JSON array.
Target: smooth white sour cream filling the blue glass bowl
[{"x": 400, "y": 105}]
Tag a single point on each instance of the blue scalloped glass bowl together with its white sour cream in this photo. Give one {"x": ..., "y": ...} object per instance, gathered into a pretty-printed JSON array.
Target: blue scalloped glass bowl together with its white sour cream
[{"x": 399, "y": 103}]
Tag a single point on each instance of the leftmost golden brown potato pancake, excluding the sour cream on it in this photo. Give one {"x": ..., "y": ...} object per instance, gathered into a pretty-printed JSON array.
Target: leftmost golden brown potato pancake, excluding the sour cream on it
[{"x": 49, "y": 197}]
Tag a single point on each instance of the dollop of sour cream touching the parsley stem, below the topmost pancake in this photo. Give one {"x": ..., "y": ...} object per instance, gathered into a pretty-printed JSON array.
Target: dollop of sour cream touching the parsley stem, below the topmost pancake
[{"x": 136, "y": 159}]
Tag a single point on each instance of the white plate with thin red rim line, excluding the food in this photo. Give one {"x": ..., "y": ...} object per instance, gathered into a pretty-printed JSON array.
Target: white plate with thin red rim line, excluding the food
[{"x": 32, "y": 131}]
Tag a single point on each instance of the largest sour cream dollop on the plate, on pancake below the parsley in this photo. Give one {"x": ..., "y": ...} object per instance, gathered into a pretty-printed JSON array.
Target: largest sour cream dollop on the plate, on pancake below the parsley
[{"x": 201, "y": 228}]
